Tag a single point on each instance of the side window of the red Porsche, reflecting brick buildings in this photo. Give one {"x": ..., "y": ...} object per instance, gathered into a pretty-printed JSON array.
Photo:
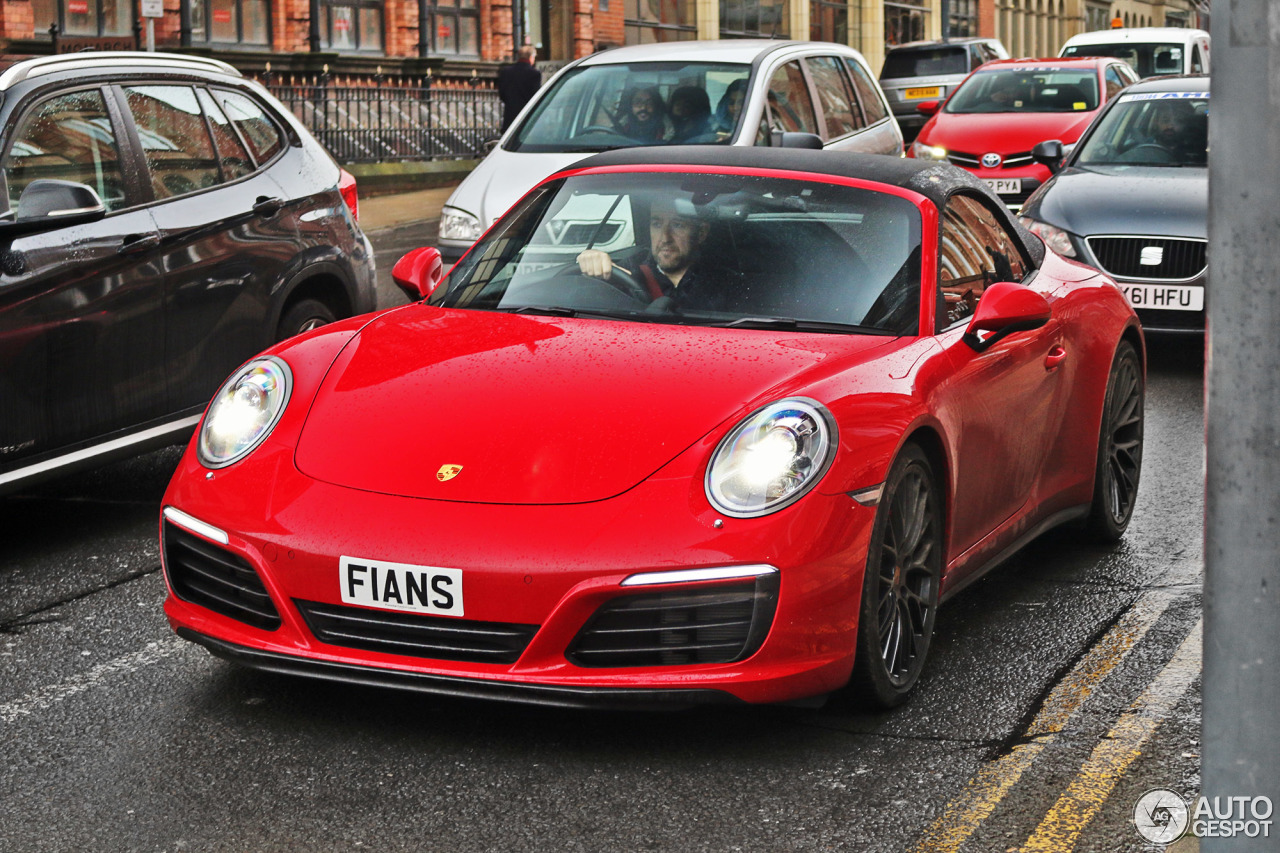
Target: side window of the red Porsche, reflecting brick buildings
[{"x": 976, "y": 252}]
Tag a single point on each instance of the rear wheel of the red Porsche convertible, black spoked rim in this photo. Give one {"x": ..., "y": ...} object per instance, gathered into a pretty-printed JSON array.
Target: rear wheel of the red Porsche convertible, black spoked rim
[{"x": 1119, "y": 466}]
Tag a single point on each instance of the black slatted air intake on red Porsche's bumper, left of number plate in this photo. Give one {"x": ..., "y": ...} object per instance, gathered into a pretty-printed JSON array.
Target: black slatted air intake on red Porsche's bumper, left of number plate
[{"x": 217, "y": 580}]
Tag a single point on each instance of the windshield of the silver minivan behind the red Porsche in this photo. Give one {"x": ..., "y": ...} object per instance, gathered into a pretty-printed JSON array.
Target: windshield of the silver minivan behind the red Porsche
[{"x": 614, "y": 107}]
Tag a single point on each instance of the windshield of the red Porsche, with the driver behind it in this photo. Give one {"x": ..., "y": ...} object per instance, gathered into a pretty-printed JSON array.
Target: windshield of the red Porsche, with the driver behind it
[{"x": 701, "y": 249}]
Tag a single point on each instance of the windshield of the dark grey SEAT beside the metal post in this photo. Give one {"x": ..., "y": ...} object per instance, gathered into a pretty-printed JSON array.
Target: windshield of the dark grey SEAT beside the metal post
[{"x": 1156, "y": 129}]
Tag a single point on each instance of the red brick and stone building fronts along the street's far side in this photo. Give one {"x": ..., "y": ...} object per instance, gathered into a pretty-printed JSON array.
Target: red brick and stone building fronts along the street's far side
[{"x": 469, "y": 39}]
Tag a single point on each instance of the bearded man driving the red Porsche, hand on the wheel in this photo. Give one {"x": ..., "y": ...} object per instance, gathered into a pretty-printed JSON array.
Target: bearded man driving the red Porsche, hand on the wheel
[{"x": 674, "y": 267}]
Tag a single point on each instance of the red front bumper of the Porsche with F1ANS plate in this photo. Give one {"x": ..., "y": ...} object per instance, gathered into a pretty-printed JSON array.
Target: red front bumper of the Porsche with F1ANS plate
[{"x": 551, "y": 569}]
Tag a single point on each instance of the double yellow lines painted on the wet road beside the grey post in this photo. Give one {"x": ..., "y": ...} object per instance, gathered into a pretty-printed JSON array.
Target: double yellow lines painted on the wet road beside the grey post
[{"x": 1062, "y": 828}]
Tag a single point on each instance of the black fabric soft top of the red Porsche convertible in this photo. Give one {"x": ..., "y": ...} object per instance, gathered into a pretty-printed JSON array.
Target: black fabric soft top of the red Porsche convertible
[{"x": 935, "y": 181}]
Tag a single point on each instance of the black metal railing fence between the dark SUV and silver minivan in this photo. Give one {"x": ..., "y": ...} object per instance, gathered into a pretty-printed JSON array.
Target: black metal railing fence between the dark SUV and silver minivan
[{"x": 392, "y": 122}]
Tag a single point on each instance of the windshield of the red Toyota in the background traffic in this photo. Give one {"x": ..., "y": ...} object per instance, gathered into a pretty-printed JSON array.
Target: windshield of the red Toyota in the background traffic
[{"x": 1027, "y": 90}]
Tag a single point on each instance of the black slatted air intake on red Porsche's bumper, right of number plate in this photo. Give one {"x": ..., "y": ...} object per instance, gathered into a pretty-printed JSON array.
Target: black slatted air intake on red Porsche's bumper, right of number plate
[{"x": 714, "y": 626}]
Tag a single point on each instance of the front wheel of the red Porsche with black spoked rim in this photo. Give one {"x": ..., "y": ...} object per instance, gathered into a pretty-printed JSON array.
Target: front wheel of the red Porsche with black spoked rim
[{"x": 900, "y": 587}]
